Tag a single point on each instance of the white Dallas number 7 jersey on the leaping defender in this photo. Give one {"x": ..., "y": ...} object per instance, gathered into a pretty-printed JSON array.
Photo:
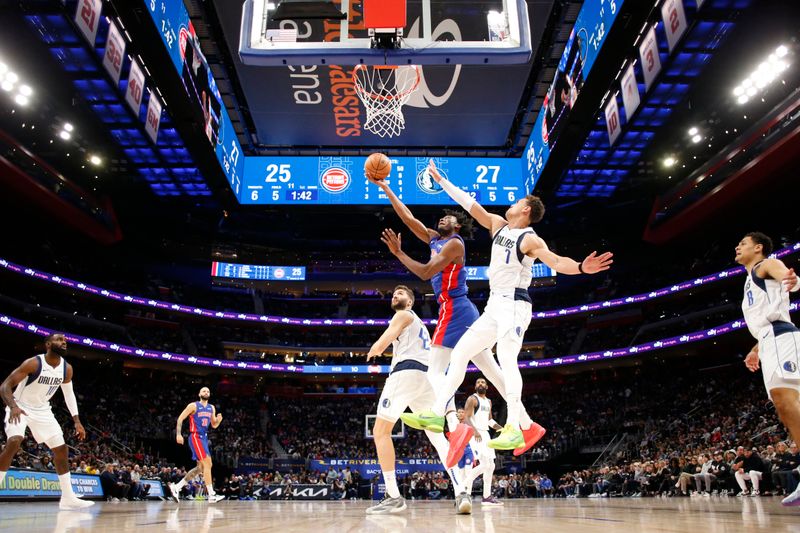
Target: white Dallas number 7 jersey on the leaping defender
[{"x": 509, "y": 268}]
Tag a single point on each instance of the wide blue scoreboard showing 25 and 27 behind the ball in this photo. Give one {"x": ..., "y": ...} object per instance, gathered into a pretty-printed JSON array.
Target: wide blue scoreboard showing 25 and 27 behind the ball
[{"x": 340, "y": 180}]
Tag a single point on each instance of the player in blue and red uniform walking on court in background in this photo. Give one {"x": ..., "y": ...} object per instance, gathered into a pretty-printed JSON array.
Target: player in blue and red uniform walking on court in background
[{"x": 202, "y": 415}]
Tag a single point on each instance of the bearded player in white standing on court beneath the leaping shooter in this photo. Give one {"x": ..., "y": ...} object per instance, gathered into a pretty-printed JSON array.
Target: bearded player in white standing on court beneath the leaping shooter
[{"x": 406, "y": 386}]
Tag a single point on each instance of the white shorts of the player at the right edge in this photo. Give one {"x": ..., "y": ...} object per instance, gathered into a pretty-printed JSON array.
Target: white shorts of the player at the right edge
[{"x": 779, "y": 353}]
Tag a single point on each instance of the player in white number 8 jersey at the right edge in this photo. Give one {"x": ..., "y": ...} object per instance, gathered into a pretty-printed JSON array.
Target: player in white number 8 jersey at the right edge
[{"x": 766, "y": 311}]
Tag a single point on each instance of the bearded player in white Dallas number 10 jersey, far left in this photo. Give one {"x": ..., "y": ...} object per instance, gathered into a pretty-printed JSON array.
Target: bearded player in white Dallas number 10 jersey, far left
[{"x": 33, "y": 383}]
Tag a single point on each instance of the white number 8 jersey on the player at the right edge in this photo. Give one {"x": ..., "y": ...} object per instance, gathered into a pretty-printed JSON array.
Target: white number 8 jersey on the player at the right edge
[{"x": 765, "y": 301}]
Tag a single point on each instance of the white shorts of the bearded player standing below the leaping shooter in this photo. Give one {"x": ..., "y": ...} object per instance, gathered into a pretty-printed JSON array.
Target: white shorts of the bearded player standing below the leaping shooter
[{"x": 405, "y": 388}]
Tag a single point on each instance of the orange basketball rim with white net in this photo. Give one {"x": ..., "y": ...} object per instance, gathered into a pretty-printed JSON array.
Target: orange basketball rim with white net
[{"x": 384, "y": 89}]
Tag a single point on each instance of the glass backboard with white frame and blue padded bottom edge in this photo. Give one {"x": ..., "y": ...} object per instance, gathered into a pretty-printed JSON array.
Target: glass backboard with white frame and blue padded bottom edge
[{"x": 437, "y": 32}]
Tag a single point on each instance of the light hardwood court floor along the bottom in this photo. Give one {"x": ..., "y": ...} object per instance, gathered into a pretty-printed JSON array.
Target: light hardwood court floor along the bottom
[{"x": 541, "y": 515}]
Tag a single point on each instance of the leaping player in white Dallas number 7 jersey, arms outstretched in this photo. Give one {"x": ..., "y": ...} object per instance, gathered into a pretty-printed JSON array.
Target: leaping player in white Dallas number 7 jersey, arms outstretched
[{"x": 515, "y": 246}]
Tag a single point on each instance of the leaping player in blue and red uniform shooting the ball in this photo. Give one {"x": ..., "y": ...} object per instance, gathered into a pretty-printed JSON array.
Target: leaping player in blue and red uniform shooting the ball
[{"x": 447, "y": 272}]
